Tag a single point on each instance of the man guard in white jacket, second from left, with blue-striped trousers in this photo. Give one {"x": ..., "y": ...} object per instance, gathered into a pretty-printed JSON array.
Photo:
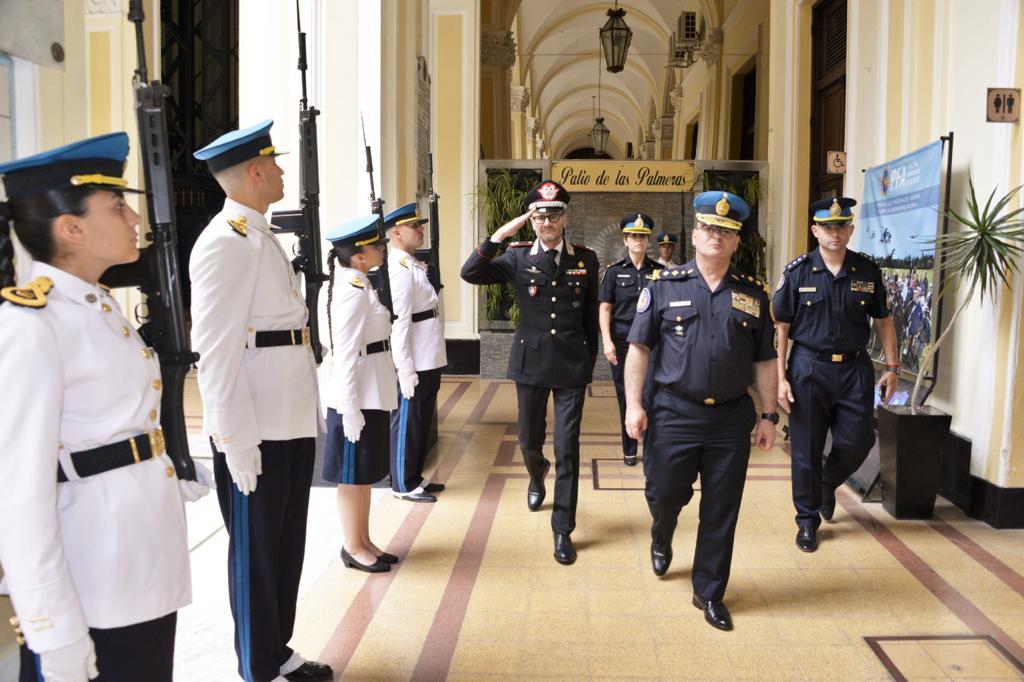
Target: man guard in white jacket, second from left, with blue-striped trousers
[{"x": 261, "y": 401}]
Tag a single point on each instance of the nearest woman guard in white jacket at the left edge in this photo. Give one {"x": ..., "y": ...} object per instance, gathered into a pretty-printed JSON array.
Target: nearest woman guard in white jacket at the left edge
[{"x": 93, "y": 542}]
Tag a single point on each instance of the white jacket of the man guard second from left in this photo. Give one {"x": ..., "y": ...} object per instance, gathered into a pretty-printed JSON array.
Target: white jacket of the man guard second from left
[{"x": 241, "y": 285}]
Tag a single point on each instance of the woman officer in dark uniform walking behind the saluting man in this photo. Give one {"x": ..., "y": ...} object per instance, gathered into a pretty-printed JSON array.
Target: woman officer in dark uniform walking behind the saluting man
[{"x": 623, "y": 283}]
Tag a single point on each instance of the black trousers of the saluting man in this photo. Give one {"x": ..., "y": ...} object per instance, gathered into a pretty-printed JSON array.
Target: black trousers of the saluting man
[{"x": 533, "y": 427}]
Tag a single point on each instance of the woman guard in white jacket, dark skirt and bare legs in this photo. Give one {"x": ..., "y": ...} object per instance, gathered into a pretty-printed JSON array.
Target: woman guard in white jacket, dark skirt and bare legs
[{"x": 363, "y": 390}]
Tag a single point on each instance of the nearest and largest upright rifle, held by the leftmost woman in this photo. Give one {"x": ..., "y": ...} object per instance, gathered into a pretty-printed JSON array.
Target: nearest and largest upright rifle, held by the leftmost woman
[{"x": 156, "y": 273}]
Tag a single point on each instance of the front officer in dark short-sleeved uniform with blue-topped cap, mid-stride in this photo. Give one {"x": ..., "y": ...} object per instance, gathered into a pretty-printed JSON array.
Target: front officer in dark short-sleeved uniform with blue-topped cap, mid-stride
[{"x": 712, "y": 332}]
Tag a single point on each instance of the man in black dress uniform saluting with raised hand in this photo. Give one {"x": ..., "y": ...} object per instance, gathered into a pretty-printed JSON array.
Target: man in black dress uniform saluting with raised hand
[{"x": 554, "y": 348}]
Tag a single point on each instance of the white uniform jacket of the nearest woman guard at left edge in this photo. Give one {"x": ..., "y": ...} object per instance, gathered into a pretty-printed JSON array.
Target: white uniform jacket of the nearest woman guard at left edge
[{"x": 109, "y": 550}]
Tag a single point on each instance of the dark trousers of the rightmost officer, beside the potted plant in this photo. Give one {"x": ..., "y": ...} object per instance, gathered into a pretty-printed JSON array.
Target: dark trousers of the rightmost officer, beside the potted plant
[{"x": 830, "y": 397}]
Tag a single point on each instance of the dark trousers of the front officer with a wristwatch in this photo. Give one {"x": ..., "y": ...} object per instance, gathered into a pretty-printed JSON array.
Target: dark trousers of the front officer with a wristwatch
[{"x": 687, "y": 439}]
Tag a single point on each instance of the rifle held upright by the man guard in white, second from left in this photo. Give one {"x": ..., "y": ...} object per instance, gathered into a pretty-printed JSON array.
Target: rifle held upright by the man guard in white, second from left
[{"x": 306, "y": 223}]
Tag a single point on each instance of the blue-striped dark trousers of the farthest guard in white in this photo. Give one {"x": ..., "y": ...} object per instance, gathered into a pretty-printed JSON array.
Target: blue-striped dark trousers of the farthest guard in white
[{"x": 410, "y": 429}]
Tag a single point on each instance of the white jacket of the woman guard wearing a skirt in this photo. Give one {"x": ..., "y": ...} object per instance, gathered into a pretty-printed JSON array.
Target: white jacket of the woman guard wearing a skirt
[{"x": 358, "y": 319}]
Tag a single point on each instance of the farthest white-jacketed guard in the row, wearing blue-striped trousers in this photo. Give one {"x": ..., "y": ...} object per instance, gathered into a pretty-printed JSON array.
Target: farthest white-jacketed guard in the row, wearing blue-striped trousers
[{"x": 418, "y": 349}]
